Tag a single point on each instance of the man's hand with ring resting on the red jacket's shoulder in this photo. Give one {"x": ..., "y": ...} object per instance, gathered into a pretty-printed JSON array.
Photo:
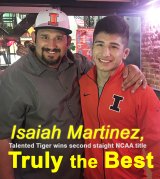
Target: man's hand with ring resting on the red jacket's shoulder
[{"x": 133, "y": 77}]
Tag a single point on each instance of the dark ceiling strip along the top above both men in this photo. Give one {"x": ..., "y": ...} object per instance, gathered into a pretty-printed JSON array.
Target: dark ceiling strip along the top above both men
[{"x": 85, "y": 7}]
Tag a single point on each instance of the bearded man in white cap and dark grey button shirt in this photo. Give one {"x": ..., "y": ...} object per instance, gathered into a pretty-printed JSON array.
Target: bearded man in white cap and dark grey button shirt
[{"x": 40, "y": 94}]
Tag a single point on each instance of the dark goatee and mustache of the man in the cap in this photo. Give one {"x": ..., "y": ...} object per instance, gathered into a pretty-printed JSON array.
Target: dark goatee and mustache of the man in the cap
[{"x": 51, "y": 62}]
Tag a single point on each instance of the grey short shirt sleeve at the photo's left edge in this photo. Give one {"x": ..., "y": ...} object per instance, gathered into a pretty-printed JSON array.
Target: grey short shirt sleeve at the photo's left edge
[{"x": 12, "y": 108}]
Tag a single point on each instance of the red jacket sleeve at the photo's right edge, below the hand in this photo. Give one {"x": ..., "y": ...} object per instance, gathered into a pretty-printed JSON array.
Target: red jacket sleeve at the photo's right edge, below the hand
[{"x": 148, "y": 115}]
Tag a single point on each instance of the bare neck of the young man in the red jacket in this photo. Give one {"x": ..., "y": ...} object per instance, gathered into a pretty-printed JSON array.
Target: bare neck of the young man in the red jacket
[{"x": 102, "y": 78}]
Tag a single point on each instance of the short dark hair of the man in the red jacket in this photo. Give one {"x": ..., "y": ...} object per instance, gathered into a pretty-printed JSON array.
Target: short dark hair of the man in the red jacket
[{"x": 113, "y": 25}]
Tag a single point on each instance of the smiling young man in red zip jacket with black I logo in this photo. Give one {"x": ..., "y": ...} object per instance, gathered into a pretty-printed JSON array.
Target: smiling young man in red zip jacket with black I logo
[{"x": 106, "y": 107}]
